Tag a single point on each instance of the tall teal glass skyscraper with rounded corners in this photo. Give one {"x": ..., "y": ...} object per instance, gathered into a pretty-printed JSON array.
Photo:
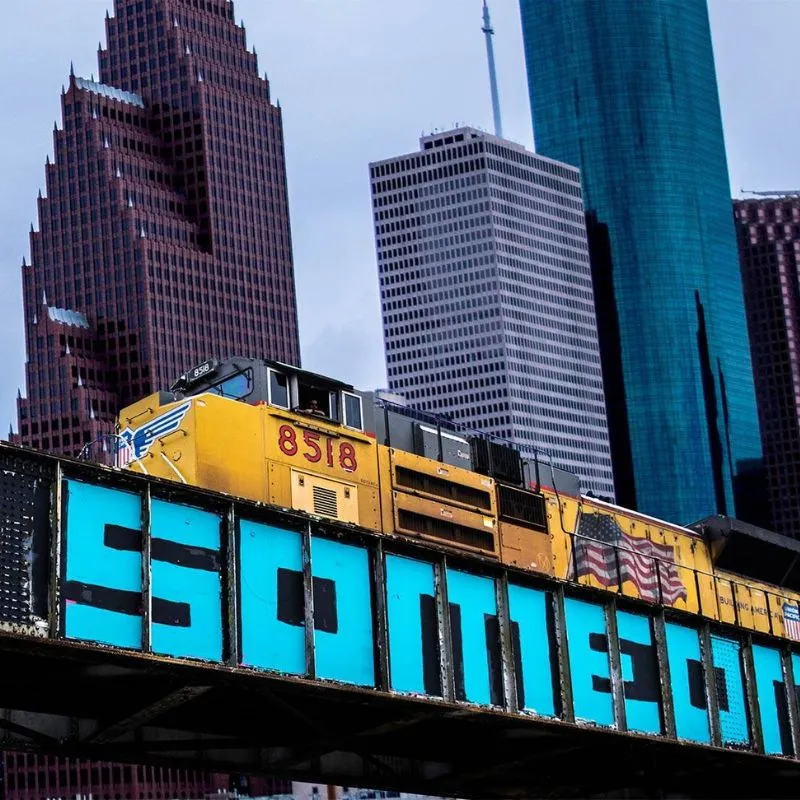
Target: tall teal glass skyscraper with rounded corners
[{"x": 626, "y": 90}]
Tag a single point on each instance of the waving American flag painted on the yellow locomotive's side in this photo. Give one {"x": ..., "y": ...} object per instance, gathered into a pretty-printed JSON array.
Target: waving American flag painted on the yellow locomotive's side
[{"x": 601, "y": 547}]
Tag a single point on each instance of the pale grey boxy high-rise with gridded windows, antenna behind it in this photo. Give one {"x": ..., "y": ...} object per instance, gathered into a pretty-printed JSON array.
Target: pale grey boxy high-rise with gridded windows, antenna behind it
[{"x": 486, "y": 294}]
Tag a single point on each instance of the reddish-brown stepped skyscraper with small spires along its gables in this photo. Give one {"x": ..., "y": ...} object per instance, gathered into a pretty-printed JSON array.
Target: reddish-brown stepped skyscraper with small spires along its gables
[{"x": 164, "y": 233}]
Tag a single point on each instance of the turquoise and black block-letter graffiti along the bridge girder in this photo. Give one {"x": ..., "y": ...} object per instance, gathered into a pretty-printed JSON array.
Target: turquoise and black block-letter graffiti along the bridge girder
[{"x": 185, "y": 587}]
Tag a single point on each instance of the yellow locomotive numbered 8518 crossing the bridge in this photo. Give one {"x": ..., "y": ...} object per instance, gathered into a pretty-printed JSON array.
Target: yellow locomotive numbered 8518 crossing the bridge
[{"x": 287, "y": 437}]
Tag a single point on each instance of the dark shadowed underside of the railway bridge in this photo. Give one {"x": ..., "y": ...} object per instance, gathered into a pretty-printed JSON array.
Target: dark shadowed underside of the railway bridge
[{"x": 75, "y": 701}]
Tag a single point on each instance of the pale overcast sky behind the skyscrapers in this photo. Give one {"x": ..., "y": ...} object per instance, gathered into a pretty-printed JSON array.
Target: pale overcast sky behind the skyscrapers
[{"x": 358, "y": 81}]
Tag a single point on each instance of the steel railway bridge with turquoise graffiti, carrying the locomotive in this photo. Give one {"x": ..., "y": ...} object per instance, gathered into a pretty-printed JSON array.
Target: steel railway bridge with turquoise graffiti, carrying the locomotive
[{"x": 150, "y": 622}]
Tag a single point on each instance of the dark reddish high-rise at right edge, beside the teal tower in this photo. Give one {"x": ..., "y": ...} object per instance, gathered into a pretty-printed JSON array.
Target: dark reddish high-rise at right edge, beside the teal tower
[{"x": 769, "y": 249}]
